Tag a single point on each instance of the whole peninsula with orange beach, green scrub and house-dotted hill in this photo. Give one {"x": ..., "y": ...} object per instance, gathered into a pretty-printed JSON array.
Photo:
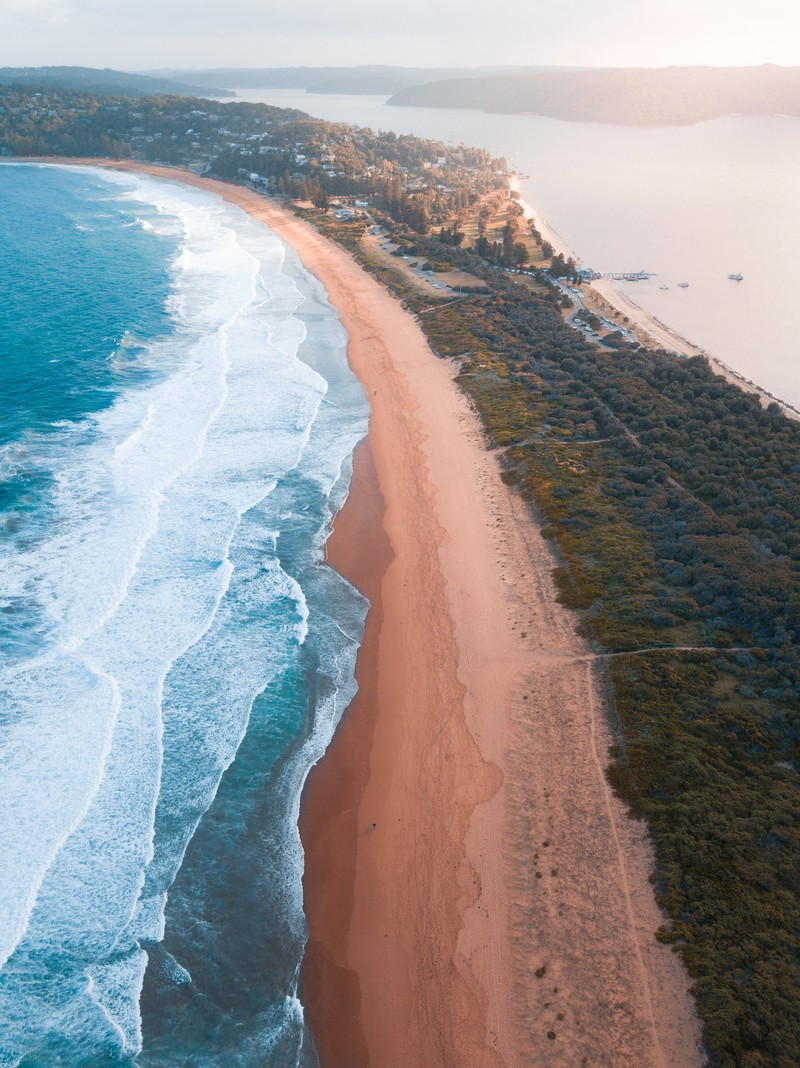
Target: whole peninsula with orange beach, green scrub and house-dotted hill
[{"x": 501, "y": 896}]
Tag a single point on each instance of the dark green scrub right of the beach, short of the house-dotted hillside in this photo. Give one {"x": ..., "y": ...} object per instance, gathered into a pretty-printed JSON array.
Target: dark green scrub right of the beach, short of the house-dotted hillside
[{"x": 673, "y": 499}]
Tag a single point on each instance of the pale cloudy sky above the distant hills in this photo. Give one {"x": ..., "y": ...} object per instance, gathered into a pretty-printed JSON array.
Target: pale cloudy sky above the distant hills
[{"x": 185, "y": 35}]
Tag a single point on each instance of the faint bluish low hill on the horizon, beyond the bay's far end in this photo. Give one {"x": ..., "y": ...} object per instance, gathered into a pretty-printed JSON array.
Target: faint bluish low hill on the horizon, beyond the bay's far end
[{"x": 354, "y": 81}]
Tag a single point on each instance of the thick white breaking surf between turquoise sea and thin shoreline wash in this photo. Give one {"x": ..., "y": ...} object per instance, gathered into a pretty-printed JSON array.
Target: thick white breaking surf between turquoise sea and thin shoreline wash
[{"x": 160, "y": 605}]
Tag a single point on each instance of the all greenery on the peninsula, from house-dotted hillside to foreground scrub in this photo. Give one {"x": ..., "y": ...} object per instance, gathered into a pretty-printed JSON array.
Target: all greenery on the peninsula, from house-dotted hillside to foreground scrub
[{"x": 672, "y": 499}]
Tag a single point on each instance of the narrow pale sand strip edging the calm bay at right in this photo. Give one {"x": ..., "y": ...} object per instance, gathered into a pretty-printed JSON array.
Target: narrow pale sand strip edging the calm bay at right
[{"x": 651, "y": 329}]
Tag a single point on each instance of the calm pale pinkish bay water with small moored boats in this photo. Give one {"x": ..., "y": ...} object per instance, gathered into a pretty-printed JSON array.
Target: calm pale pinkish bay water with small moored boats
[{"x": 692, "y": 205}]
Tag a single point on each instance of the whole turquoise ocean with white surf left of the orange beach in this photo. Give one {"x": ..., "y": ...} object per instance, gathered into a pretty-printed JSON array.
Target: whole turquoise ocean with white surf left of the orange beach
[{"x": 177, "y": 435}]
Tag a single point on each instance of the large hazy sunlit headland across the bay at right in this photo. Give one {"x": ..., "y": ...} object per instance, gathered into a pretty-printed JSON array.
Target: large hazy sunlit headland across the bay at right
[{"x": 634, "y": 98}]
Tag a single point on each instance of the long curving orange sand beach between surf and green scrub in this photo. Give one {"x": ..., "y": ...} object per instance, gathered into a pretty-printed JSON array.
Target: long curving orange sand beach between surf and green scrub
[{"x": 477, "y": 897}]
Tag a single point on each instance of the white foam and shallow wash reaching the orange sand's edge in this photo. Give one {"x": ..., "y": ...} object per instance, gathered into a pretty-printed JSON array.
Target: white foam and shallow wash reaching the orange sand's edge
[{"x": 181, "y": 578}]
